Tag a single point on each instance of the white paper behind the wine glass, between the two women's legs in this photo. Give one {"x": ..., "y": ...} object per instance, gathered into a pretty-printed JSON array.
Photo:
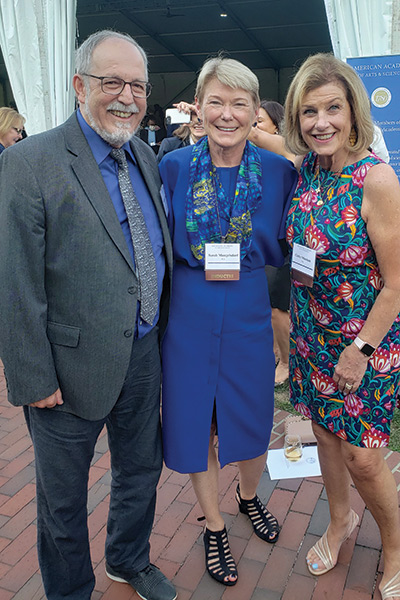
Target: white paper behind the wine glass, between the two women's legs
[{"x": 280, "y": 468}]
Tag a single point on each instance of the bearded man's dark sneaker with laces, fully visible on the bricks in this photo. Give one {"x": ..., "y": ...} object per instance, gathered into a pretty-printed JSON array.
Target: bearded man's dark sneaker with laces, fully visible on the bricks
[{"x": 149, "y": 584}]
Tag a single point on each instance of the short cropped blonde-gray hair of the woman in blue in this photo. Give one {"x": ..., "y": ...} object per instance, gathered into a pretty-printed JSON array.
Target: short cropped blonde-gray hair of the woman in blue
[{"x": 229, "y": 72}]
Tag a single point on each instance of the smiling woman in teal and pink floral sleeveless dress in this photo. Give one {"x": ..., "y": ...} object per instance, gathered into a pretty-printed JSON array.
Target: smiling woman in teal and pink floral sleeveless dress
[{"x": 344, "y": 232}]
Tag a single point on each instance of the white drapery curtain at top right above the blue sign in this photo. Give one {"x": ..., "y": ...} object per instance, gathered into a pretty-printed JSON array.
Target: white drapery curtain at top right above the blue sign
[{"x": 363, "y": 27}]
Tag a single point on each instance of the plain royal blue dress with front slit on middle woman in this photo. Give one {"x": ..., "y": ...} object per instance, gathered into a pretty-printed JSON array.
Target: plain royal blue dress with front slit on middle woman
[{"x": 218, "y": 345}]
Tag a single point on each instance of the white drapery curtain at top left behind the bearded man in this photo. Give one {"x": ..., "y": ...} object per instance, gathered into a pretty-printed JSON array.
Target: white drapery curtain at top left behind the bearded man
[{"x": 37, "y": 38}]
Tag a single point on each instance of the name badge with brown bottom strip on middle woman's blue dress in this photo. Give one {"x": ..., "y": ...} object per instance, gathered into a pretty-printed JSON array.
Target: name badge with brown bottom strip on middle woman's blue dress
[{"x": 222, "y": 262}]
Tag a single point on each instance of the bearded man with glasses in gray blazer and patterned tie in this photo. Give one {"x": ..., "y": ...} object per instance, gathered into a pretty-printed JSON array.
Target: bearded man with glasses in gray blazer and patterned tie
[{"x": 77, "y": 352}]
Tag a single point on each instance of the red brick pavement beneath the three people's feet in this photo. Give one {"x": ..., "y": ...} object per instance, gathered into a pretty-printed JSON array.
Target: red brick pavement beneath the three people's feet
[{"x": 266, "y": 572}]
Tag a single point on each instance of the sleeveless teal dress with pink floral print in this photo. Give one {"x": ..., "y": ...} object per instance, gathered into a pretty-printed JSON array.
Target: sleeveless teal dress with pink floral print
[{"x": 327, "y": 317}]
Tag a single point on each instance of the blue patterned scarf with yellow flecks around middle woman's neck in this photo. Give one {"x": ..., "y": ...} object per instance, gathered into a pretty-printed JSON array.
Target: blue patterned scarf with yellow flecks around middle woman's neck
[{"x": 206, "y": 201}]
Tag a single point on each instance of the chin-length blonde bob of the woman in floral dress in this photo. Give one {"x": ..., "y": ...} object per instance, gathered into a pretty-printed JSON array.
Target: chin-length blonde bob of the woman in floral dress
[{"x": 318, "y": 70}]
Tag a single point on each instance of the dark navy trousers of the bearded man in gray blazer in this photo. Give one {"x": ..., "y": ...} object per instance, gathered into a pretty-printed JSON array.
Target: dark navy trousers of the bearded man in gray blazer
[{"x": 64, "y": 447}]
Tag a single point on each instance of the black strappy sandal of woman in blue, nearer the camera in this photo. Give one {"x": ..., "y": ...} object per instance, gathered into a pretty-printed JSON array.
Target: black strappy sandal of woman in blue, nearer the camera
[{"x": 219, "y": 561}]
